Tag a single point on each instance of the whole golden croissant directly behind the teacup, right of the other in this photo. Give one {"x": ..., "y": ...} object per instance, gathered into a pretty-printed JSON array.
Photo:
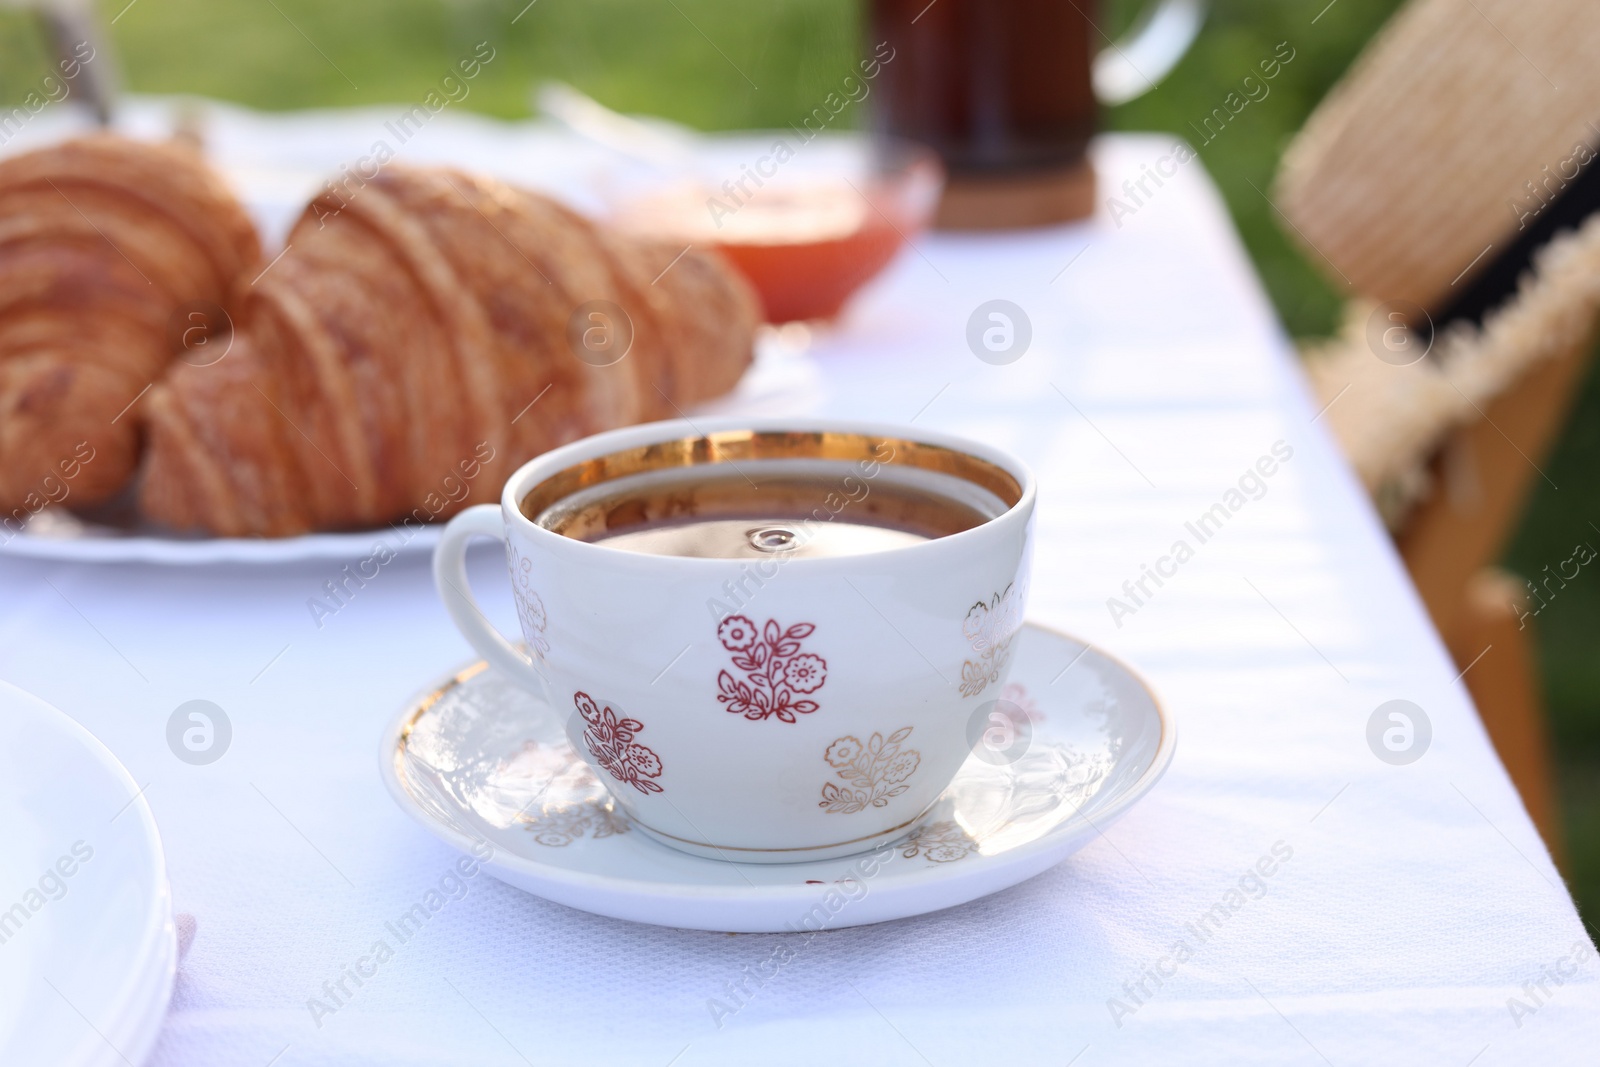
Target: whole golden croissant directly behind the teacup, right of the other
[{"x": 422, "y": 337}]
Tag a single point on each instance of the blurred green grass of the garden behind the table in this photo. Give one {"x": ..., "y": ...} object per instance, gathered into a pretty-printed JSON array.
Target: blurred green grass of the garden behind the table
[{"x": 735, "y": 65}]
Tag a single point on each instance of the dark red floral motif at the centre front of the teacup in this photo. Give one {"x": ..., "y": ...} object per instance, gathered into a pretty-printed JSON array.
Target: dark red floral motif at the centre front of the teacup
[{"x": 775, "y": 671}]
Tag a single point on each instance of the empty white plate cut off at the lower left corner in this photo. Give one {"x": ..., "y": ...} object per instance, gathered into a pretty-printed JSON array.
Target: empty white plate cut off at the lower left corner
[{"x": 87, "y": 943}]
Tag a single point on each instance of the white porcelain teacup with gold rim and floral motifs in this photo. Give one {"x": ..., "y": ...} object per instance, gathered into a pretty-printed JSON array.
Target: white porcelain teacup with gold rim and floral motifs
[{"x": 770, "y": 709}]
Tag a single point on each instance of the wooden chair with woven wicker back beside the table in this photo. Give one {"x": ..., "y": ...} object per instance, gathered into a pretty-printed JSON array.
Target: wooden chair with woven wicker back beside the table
[{"x": 1450, "y": 185}]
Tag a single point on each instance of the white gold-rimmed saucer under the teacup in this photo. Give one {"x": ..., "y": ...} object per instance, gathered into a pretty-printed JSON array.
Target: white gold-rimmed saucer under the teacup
[{"x": 478, "y": 761}]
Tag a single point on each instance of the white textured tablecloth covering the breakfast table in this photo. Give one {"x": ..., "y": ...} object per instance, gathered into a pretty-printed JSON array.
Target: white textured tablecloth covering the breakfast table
[{"x": 1417, "y": 906}]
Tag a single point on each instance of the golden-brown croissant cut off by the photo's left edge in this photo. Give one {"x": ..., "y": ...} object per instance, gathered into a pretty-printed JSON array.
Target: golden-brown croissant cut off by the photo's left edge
[{"x": 102, "y": 242}]
